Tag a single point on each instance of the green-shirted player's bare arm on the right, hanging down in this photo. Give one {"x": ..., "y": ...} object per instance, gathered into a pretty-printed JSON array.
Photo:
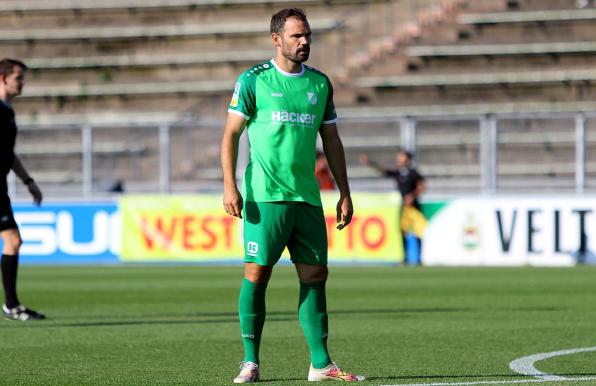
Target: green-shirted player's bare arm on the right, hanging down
[{"x": 334, "y": 151}]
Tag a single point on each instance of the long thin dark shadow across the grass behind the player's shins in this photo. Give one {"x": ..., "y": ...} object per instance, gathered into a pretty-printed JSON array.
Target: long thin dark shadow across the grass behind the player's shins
[{"x": 210, "y": 318}]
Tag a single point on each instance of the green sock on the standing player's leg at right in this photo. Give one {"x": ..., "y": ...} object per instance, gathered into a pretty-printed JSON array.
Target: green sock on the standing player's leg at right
[{"x": 312, "y": 313}]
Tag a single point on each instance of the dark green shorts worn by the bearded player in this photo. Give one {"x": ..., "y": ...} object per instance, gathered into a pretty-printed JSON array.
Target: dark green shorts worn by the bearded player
[{"x": 271, "y": 226}]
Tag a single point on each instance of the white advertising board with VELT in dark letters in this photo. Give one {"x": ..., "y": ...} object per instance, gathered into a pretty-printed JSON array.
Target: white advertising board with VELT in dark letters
[{"x": 511, "y": 231}]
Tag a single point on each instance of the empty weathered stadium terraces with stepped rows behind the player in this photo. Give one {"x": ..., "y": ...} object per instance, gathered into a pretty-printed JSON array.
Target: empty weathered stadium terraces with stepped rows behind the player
[{"x": 129, "y": 68}]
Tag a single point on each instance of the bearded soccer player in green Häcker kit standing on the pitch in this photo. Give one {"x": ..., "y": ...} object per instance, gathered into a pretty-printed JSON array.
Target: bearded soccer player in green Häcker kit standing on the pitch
[{"x": 284, "y": 105}]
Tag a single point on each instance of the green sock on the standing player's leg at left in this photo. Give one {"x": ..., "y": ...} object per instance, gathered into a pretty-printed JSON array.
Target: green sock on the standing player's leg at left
[{"x": 251, "y": 310}]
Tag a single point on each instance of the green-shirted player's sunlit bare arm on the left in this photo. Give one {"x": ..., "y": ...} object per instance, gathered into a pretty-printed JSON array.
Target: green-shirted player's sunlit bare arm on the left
[{"x": 232, "y": 199}]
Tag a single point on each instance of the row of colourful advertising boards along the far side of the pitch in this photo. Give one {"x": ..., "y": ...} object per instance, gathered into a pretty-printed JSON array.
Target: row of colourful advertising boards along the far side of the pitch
[{"x": 465, "y": 231}]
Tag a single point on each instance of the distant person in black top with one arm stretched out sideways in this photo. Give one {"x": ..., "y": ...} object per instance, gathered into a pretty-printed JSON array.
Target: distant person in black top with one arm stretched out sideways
[{"x": 411, "y": 185}]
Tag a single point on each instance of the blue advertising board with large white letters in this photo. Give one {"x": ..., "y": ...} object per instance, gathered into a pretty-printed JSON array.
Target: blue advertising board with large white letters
[{"x": 69, "y": 233}]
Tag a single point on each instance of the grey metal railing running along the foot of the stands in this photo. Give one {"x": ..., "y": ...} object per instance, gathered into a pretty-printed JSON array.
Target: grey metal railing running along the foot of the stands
[{"x": 167, "y": 148}]
